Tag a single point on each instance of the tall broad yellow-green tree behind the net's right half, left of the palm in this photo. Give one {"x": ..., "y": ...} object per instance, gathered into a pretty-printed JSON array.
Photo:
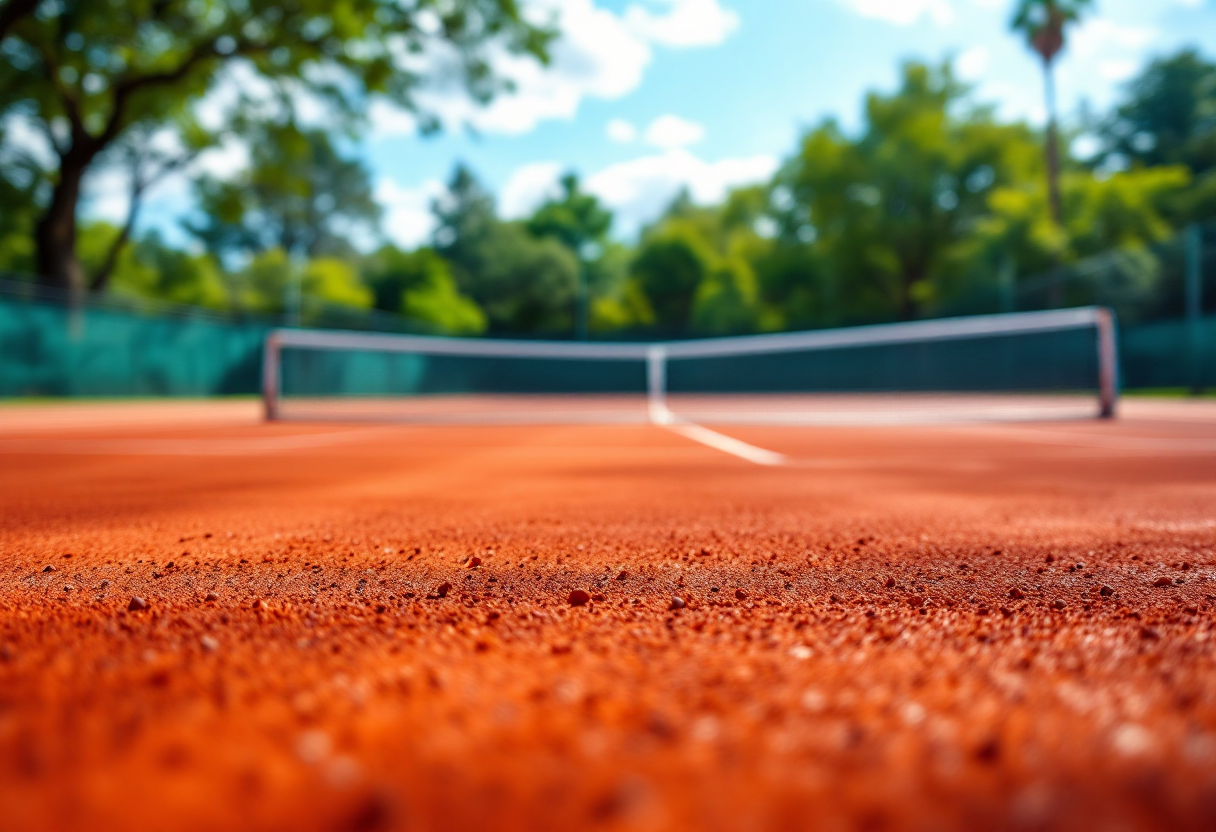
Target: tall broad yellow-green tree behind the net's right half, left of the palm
[{"x": 888, "y": 213}]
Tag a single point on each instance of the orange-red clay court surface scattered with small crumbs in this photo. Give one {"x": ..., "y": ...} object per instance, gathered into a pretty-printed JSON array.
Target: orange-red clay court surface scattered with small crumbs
[{"x": 902, "y": 628}]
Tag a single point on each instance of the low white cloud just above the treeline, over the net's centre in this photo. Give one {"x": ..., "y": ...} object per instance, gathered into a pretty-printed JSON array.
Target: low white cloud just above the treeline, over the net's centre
[{"x": 639, "y": 190}]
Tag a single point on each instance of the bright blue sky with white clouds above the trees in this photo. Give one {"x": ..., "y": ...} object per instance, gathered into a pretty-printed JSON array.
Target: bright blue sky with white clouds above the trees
[{"x": 648, "y": 97}]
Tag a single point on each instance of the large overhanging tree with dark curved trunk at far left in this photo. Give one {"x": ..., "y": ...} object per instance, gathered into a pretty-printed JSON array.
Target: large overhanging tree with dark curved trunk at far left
[{"x": 88, "y": 71}]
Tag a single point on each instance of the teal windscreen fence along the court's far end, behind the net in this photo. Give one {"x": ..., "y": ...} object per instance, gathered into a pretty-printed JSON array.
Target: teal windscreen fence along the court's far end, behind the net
[{"x": 47, "y": 350}]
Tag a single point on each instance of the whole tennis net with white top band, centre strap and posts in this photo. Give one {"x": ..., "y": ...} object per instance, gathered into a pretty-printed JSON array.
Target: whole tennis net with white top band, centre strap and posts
[{"x": 1044, "y": 366}]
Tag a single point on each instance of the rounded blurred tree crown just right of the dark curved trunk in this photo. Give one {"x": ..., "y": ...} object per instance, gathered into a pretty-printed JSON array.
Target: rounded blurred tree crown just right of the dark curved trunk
[{"x": 299, "y": 195}]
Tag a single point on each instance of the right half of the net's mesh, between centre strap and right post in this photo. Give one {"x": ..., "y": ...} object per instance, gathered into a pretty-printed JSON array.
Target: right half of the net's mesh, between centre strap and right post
[{"x": 1016, "y": 376}]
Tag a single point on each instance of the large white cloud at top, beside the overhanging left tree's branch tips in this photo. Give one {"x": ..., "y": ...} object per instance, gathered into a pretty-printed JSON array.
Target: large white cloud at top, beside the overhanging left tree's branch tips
[{"x": 599, "y": 54}]
